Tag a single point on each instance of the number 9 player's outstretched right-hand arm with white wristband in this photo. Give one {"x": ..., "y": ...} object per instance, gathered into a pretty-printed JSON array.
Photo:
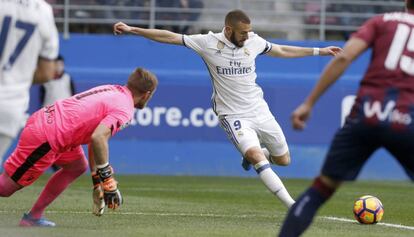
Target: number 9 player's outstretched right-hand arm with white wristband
[{"x": 287, "y": 51}]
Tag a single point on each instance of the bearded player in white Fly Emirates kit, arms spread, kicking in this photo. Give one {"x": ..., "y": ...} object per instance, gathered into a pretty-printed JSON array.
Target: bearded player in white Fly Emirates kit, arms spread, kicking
[{"x": 237, "y": 99}]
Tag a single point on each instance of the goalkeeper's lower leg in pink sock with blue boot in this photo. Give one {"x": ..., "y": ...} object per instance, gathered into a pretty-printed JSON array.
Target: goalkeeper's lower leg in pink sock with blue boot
[{"x": 54, "y": 187}]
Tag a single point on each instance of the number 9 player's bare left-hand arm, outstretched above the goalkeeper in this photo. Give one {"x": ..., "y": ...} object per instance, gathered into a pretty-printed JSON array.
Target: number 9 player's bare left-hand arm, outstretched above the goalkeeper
[{"x": 163, "y": 36}]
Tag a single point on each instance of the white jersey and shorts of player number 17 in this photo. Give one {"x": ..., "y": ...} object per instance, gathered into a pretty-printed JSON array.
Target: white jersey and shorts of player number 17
[{"x": 27, "y": 32}]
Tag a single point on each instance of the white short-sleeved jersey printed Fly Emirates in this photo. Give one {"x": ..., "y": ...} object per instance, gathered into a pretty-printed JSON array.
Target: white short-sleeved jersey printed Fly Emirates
[{"x": 232, "y": 69}]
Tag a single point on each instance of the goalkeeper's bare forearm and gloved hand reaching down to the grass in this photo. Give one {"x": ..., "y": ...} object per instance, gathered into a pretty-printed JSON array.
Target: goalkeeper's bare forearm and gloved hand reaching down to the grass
[{"x": 99, "y": 144}]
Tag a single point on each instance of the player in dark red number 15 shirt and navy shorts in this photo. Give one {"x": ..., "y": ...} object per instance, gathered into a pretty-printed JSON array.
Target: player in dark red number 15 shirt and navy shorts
[{"x": 382, "y": 115}]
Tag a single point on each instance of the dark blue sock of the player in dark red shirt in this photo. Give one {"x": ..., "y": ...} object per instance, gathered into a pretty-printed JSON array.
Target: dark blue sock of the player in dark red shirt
[{"x": 301, "y": 214}]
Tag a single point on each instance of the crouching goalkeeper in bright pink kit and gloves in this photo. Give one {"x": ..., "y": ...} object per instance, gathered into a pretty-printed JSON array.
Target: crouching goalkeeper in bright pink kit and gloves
[{"x": 54, "y": 135}]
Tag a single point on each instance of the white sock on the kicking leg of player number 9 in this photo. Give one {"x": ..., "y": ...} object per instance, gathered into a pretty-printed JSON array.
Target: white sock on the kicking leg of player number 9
[{"x": 273, "y": 182}]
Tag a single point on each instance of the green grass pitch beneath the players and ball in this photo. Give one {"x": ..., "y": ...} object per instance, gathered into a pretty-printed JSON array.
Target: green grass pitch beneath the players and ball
[{"x": 205, "y": 206}]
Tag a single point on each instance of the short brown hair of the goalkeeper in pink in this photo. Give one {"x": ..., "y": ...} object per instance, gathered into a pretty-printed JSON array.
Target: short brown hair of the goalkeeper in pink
[{"x": 142, "y": 81}]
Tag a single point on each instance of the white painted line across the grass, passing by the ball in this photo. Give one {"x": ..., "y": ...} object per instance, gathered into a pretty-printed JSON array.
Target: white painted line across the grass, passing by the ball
[{"x": 330, "y": 218}]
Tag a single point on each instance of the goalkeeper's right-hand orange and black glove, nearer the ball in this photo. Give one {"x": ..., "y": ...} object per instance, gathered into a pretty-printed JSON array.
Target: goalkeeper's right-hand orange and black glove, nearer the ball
[{"x": 112, "y": 196}]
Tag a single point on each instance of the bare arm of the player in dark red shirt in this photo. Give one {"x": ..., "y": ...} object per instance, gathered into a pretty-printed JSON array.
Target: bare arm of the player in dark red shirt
[{"x": 353, "y": 48}]
